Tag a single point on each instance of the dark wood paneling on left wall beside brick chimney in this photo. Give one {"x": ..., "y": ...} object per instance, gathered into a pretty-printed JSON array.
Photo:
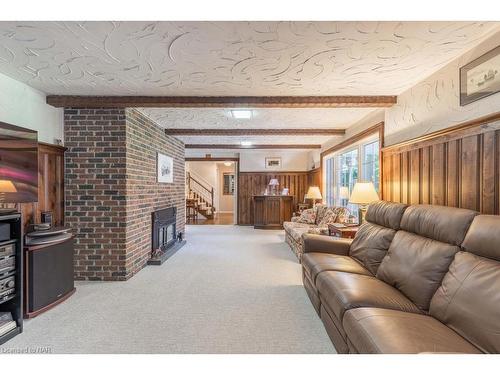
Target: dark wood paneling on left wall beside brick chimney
[{"x": 50, "y": 187}]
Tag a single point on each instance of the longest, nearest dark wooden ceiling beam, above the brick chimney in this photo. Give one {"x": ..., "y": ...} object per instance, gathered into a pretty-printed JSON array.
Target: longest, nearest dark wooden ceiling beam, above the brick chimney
[{"x": 221, "y": 101}]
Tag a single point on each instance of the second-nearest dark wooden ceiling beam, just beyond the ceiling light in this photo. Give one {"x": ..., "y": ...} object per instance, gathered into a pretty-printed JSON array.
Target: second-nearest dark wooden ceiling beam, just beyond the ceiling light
[{"x": 254, "y": 132}]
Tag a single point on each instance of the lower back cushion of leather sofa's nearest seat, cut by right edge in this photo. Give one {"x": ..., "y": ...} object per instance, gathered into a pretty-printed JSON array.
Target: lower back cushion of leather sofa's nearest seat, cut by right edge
[{"x": 468, "y": 301}]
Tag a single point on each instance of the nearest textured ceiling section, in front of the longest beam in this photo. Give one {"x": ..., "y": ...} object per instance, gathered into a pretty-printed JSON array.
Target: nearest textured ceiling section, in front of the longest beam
[{"x": 231, "y": 58}]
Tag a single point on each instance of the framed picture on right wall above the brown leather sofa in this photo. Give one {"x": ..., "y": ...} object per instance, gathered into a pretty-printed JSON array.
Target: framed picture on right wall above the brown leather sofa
[{"x": 480, "y": 78}]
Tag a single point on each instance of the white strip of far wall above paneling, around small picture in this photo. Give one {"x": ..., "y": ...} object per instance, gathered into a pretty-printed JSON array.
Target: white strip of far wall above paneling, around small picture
[{"x": 255, "y": 160}]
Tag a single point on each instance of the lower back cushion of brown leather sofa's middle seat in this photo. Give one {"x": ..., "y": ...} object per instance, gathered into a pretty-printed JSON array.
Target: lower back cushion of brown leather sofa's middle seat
[{"x": 416, "y": 266}]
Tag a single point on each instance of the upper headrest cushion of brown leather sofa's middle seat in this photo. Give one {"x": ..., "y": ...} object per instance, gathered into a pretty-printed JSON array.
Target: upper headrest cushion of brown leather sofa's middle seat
[{"x": 445, "y": 224}]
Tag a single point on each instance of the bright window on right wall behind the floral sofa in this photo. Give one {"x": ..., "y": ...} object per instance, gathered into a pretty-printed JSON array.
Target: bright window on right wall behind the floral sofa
[{"x": 343, "y": 169}]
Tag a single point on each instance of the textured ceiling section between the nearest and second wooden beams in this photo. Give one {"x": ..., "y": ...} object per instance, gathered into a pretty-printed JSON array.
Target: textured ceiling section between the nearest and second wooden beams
[{"x": 264, "y": 118}]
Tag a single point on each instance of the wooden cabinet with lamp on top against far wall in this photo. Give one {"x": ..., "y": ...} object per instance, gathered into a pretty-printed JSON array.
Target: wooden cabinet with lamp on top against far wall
[{"x": 270, "y": 211}]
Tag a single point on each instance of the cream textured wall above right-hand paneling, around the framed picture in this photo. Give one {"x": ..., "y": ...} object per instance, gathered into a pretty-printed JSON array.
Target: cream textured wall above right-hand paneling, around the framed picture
[{"x": 434, "y": 103}]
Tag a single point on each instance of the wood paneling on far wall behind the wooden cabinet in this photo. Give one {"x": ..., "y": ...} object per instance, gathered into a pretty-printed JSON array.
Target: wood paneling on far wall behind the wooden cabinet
[{"x": 255, "y": 183}]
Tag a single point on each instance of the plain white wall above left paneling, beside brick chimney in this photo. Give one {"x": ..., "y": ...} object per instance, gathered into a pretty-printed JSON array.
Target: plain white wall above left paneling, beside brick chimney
[{"x": 24, "y": 106}]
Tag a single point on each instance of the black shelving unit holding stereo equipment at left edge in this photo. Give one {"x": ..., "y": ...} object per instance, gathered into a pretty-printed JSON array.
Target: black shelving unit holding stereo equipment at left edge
[{"x": 14, "y": 304}]
